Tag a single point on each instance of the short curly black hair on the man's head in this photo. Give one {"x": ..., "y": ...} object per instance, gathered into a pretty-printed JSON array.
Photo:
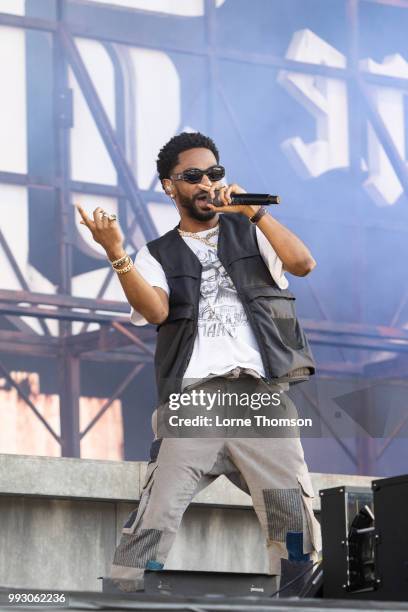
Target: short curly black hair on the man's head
[{"x": 168, "y": 155}]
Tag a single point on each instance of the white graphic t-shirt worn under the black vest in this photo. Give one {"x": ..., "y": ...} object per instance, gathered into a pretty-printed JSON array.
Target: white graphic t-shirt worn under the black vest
[{"x": 224, "y": 338}]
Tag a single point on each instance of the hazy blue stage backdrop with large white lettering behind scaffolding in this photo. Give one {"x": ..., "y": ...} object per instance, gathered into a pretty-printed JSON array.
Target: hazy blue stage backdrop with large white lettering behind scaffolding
[{"x": 304, "y": 98}]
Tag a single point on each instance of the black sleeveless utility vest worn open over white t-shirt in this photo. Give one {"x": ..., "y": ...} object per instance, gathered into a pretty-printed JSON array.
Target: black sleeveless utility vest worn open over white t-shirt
[{"x": 284, "y": 349}]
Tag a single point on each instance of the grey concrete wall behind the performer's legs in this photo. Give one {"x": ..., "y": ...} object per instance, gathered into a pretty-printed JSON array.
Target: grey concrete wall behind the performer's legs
[{"x": 60, "y": 520}]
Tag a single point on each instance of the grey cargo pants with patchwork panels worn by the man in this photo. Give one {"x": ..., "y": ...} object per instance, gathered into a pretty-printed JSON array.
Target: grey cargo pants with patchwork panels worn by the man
[{"x": 271, "y": 469}]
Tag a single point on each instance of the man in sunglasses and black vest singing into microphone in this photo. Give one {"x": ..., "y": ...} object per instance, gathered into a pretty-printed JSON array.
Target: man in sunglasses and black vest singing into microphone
[{"x": 215, "y": 287}]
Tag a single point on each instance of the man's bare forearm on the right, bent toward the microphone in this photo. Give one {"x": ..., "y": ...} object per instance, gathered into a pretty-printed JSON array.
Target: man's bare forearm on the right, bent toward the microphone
[{"x": 295, "y": 256}]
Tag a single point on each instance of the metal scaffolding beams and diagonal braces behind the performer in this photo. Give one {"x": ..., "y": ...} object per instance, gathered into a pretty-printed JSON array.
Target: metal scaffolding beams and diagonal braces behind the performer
[{"x": 116, "y": 340}]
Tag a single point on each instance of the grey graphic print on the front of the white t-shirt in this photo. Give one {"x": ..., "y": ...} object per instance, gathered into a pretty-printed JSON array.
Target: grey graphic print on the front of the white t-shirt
[{"x": 220, "y": 311}]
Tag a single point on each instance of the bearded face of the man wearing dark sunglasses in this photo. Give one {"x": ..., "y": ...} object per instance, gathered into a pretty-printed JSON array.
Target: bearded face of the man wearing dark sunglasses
[{"x": 188, "y": 195}]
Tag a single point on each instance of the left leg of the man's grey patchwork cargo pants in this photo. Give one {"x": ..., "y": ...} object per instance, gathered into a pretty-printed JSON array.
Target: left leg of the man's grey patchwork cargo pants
[{"x": 182, "y": 468}]
